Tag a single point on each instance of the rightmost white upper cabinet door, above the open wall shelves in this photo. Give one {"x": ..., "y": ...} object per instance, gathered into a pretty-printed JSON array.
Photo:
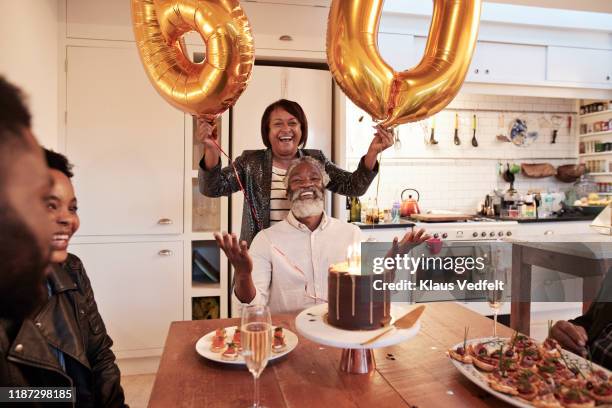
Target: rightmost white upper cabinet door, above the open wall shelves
[{"x": 579, "y": 65}]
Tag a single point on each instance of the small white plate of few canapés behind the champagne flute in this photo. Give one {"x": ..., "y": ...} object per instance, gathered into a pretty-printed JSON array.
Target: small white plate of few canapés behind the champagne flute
[{"x": 224, "y": 345}]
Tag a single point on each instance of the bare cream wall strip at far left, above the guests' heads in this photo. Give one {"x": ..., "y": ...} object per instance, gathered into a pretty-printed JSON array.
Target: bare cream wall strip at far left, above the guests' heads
[{"x": 29, "y": 59}]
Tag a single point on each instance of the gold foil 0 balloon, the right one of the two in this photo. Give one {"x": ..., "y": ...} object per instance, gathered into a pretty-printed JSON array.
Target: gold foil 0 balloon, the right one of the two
[{"x": 400, "y": 97}]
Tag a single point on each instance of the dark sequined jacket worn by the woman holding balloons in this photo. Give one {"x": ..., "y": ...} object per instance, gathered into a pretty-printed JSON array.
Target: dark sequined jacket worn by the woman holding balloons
[{"x": 254, "y": 168}]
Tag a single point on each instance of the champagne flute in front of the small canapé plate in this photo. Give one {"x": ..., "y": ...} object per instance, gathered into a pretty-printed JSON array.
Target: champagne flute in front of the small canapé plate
[{"x": 256, "y": 332}]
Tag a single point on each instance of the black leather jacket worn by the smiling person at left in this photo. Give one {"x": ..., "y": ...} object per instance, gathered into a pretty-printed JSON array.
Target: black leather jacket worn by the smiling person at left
[{"x": 69, "y": 321}]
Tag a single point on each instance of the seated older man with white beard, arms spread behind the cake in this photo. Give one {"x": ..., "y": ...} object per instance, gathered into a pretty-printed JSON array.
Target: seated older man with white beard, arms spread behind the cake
[{"x": 287, "y": 264}]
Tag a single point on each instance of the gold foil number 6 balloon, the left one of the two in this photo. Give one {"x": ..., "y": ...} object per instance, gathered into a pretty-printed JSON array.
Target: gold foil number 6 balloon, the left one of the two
[{"x": 205, "y": 89}]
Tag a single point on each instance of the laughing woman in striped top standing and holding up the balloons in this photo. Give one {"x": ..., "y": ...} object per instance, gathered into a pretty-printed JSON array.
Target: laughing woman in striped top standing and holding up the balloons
[{"x": 284, "y": 132}]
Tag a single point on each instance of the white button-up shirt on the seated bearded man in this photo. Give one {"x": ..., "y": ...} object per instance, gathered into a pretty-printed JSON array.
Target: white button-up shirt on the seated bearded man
[{"x": 290, "y": 262}]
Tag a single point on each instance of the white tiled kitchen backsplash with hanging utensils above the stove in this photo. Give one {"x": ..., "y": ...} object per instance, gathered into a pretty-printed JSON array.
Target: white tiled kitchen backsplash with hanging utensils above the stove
[{"x": 453, "y": 177}]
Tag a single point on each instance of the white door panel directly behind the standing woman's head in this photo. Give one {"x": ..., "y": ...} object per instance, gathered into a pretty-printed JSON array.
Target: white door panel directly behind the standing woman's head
[{"x": 311, "y": 88}]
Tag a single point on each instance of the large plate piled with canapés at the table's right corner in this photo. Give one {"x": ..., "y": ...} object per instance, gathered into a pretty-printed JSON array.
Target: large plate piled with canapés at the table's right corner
[{"x": 526, "y": 373}]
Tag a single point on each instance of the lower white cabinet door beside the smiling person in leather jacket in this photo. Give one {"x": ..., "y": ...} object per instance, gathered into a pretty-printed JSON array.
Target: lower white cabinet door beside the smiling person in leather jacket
[{"x": 138, "y": 288}]
